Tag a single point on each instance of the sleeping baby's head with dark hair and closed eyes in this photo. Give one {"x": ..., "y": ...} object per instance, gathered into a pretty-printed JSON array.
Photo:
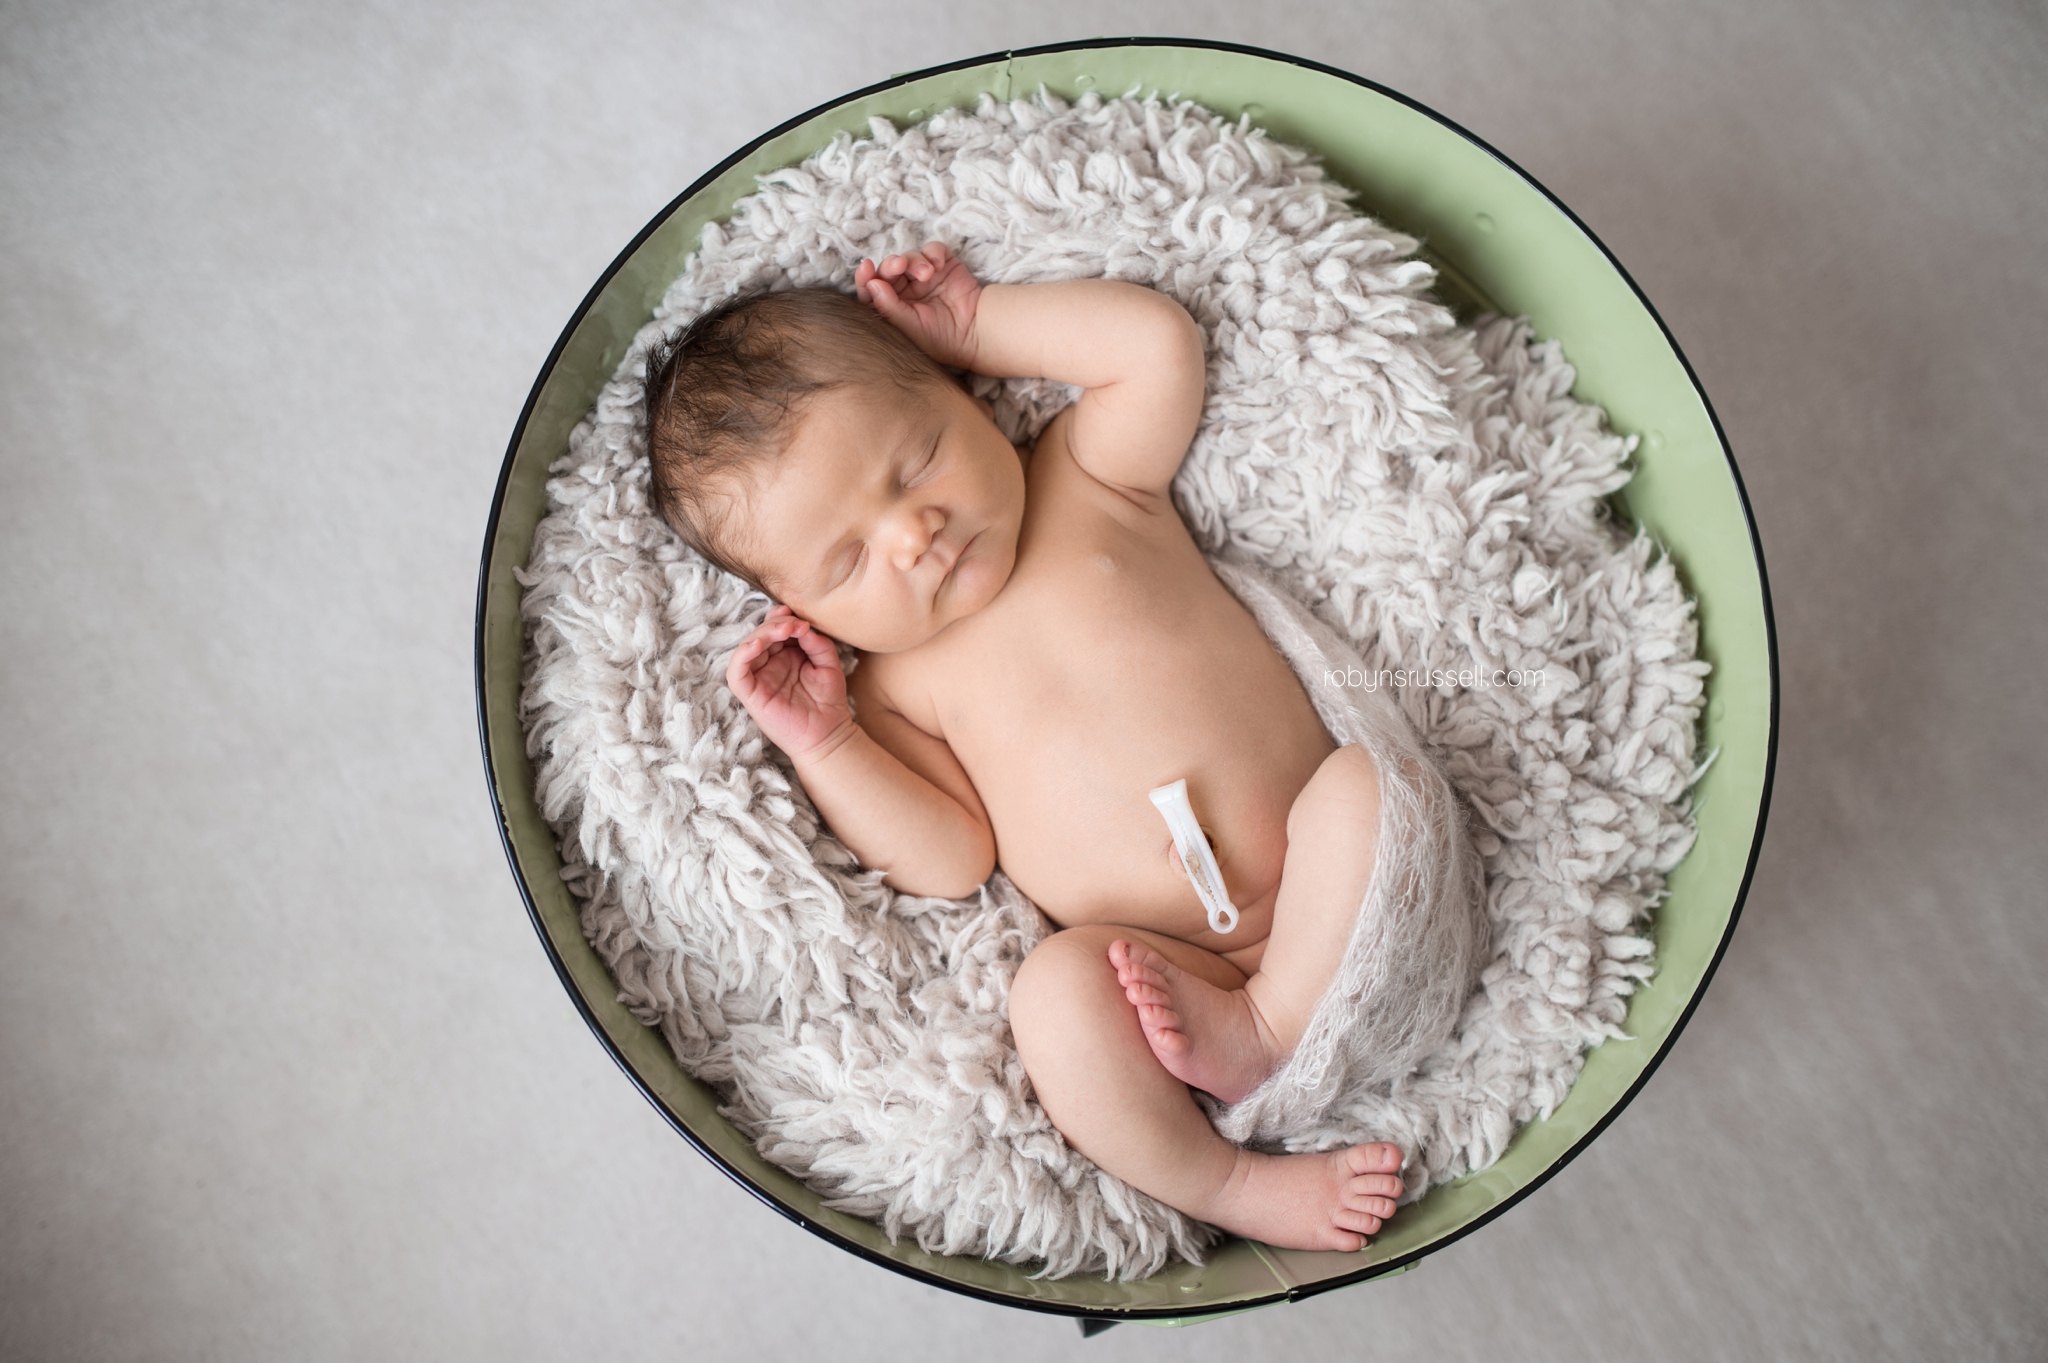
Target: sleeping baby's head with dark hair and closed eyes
[{"x": 806, "y": 445}]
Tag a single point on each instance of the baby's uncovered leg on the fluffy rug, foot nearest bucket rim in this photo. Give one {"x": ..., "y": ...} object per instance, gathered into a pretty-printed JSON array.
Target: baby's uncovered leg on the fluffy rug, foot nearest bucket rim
[{"x": 1109, "y": 1096}]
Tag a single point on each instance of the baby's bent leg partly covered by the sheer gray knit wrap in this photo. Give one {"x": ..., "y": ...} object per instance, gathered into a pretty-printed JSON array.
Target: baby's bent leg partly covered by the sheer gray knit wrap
[{"x": 1224, "y": 1039}]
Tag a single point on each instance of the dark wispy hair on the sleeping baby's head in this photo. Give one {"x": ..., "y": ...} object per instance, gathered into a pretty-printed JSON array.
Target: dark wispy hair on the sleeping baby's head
[{"x": 724, "y": 392}]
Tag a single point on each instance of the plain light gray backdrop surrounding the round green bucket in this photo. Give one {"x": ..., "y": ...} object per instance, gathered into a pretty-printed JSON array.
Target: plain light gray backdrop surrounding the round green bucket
[{"x": 284, "y": 1071}]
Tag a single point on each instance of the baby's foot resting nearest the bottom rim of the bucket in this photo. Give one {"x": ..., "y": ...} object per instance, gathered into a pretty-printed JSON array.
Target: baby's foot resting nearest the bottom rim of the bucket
[{"x": 1320, "y": 1202}]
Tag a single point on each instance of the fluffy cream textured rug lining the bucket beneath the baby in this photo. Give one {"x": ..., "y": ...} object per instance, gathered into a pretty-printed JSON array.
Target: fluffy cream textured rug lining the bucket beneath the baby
[{"x": 1428, "y": 490}]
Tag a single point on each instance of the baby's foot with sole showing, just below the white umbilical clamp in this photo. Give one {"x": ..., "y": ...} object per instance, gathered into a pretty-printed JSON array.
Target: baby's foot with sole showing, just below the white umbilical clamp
[{"x": 1209, "y": 1039}]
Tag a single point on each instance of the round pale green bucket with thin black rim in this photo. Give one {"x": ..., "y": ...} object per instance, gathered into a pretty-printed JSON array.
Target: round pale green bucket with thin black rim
[{"x": 1502, "y": 245}]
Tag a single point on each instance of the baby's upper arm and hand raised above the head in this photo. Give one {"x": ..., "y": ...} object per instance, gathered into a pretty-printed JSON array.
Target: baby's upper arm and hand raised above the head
[{"x": 1136, "y": 353}]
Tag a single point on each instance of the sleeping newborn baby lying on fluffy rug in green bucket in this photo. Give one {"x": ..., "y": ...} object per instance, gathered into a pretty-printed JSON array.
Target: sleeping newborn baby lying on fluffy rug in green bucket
[{"x": 1043, "y": 646}]
